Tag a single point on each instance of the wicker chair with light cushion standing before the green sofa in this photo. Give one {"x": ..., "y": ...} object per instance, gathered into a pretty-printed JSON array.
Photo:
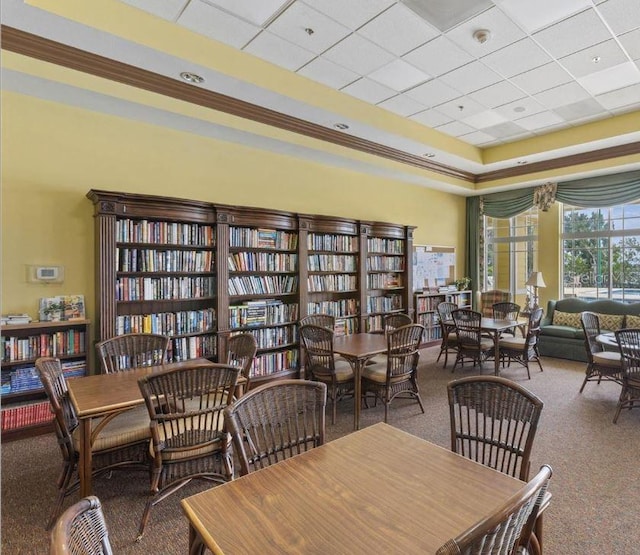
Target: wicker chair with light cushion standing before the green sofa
[{"x": 601, "y": 364}]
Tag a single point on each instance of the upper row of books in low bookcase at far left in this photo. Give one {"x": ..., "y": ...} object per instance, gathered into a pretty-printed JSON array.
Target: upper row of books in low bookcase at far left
[{"x": 68, "y": 342}]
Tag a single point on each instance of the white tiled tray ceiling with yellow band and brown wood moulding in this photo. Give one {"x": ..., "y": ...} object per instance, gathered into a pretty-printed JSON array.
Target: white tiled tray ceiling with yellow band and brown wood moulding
[{"x": 460, "y": 95}]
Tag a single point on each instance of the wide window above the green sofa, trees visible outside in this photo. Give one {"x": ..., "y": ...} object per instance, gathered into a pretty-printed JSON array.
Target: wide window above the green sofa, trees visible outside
[{"x": 601, "y": 252}]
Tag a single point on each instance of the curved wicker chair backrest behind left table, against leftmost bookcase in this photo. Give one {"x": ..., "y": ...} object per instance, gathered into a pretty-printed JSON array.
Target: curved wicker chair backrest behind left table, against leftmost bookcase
[{"x": 132, "y": 350}]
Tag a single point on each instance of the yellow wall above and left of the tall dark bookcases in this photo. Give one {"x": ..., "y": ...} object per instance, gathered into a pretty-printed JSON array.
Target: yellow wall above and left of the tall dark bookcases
[{"x": 53, "y": 154}]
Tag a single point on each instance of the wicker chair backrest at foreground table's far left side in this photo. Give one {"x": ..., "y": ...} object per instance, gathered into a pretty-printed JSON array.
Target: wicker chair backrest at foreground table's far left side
[{"x": 276, "y": 421}]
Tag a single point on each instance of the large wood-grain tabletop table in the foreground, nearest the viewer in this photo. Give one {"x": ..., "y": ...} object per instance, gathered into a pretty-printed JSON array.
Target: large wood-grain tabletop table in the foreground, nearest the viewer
[{"x": 377, "y": 490}]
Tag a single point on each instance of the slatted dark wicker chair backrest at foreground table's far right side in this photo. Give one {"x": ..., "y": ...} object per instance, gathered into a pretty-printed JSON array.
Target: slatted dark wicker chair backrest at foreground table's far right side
[{"x": 494, "y": 422}]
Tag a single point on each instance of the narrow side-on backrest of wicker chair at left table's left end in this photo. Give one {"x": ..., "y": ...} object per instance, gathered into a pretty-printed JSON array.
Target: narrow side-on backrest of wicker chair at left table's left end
[{"x": 65, "y": 420}]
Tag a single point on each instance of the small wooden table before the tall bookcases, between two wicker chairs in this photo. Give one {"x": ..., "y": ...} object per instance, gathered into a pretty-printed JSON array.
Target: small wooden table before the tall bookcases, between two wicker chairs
[{"x": 358, "y": 348}]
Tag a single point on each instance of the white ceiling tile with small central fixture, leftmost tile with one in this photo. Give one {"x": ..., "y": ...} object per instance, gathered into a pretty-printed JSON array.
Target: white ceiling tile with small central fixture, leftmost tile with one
[{"x": 292, "y": 25}]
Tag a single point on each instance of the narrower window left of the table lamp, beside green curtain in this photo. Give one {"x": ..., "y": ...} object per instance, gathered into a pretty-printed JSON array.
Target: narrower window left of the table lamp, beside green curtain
[{"x": 510, "y": 253}]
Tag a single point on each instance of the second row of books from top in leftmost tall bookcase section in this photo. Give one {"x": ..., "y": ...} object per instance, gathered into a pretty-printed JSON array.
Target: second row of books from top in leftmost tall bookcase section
[{"x": 151, "y": 260}]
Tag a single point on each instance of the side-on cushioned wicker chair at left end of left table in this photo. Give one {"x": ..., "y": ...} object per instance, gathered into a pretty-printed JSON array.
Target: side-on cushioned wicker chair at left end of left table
[{"x": 118, "y": 441}]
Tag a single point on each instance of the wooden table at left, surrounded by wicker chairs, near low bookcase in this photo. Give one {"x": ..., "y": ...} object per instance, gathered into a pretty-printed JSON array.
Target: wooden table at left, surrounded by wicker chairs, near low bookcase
[{"x": 100, "y": 395}]
